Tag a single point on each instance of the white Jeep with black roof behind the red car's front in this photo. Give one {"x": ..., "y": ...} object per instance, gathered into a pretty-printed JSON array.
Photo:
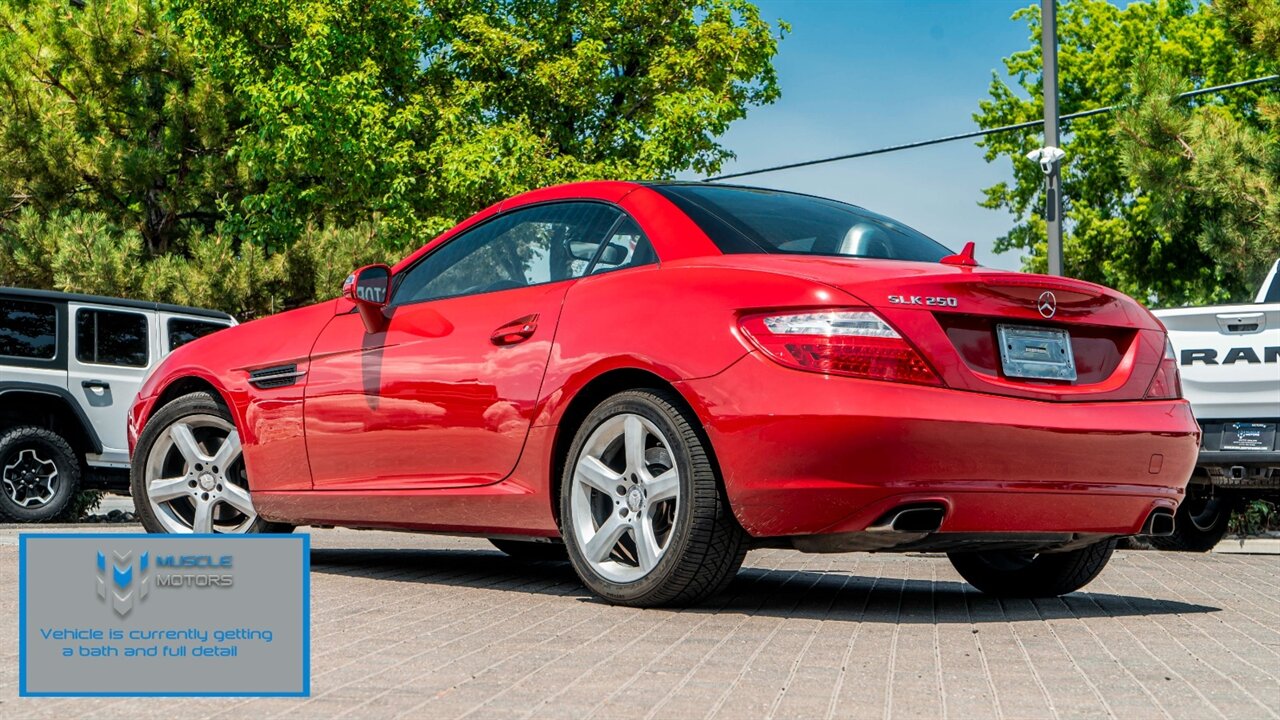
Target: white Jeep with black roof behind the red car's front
[{"x": 70, "y": 368}]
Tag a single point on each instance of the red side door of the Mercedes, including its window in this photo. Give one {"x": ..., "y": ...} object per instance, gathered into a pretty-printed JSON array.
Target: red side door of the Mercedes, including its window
[{"x": 446, "y": 394}]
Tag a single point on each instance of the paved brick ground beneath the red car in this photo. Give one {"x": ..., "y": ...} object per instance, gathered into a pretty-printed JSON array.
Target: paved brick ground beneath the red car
[{"x": 424, "y": 627}]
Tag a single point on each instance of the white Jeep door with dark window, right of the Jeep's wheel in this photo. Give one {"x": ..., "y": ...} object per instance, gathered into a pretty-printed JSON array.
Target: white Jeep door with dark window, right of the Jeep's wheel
[{"x": 111, "y": 353}]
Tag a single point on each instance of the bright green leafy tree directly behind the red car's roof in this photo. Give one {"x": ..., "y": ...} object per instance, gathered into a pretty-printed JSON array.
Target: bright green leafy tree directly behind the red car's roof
[{"x": 418, "y": 115}]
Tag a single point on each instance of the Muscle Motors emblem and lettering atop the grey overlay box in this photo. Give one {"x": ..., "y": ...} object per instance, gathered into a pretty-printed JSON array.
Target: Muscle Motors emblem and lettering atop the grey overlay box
[{"x": 125, "y": 580}]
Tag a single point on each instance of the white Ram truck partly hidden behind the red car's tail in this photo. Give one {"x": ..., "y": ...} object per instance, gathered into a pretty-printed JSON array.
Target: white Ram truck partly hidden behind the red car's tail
[{"x": 1229, "y": 357}]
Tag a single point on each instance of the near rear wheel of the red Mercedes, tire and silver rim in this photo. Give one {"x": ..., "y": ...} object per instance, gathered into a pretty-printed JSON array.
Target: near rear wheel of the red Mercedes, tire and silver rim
[{"x": 648, "y": 446}]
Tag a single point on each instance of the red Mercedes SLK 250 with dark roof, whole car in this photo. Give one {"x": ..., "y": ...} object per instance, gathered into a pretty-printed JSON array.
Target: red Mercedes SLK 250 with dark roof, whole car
[{"x": 655, "y": 379}]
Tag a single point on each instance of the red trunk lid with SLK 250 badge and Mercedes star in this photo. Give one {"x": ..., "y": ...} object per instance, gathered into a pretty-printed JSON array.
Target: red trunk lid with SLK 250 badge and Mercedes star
[{"x": 952, "y": 316}]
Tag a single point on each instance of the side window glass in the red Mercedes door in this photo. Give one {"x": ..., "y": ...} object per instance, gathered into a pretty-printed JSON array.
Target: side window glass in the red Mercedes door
[{"x": 525, "y": 248}]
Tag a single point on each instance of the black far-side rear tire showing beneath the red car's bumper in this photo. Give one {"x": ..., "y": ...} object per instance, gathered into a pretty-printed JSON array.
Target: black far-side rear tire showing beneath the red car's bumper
[{"x": 1023, "y": 575}]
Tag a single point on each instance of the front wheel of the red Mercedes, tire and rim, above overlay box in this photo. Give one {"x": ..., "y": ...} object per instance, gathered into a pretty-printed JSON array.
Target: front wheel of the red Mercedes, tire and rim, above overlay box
[{"x": 211, "y": 498}]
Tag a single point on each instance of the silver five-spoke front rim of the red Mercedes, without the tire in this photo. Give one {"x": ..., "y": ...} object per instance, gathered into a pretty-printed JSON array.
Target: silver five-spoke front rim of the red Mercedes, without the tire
[{"x": 195, "y": 479}]
